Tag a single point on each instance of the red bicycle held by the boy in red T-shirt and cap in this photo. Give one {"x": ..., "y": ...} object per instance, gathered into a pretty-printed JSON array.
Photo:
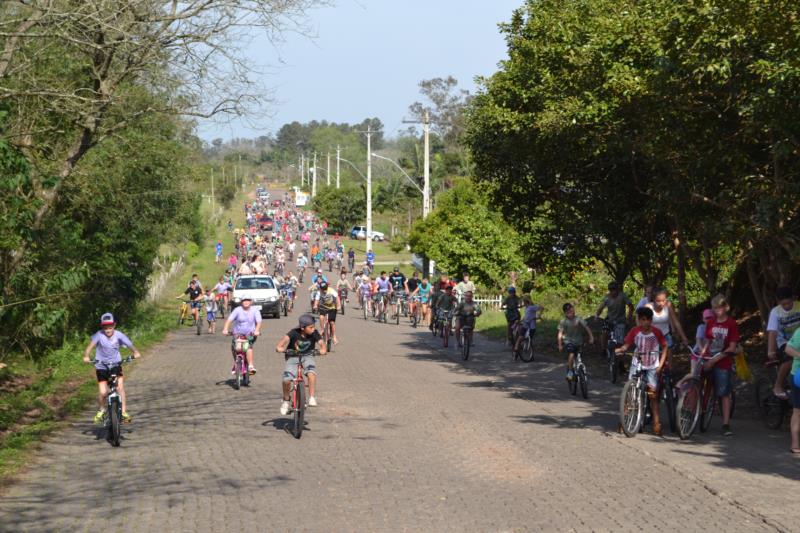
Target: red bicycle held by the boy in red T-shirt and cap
[{"x": 697, "y": 400}]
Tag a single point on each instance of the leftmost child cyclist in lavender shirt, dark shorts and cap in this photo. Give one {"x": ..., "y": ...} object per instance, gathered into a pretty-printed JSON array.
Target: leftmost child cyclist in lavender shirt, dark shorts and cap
[{"x": 107, "y": 342}]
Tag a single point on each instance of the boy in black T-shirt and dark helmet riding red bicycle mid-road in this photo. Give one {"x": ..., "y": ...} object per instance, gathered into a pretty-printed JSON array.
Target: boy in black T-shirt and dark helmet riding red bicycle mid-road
[{"x": 303, "y": 339}]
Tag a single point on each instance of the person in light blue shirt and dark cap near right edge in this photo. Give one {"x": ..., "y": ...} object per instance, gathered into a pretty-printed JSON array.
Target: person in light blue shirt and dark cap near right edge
[{"x": 784, "y": 320}]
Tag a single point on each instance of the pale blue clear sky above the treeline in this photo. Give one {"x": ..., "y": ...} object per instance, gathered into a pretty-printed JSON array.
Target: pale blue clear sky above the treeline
[{"x": 368, "y": 57}]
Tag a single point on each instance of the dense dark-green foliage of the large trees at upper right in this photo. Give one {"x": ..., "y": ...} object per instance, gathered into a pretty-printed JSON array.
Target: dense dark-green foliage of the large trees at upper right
[{"x": 634, "y": 132}]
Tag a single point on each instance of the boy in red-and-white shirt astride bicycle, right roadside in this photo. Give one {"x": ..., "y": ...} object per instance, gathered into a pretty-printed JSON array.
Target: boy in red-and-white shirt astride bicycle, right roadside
[{"x": 652, "y": 351}]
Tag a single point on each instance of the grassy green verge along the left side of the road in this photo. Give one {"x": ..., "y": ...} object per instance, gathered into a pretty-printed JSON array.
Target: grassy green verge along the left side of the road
[{"x": 37, "y": 397}]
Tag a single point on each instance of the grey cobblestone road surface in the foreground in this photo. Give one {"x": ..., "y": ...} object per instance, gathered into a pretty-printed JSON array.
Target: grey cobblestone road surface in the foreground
[{"x": 406, "y": 438}]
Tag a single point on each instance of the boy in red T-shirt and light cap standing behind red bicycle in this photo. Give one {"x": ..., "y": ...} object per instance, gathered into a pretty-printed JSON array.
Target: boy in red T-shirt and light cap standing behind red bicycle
[{"x": 723, "y": 335}]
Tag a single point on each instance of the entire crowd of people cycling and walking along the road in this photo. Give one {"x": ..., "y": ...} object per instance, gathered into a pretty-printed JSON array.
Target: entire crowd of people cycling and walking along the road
[{"x": 283, "y": 241}]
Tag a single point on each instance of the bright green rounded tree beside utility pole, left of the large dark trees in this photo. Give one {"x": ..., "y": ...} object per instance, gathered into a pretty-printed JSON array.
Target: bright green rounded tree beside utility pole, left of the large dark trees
[{"x": 464, "y": 234}]
